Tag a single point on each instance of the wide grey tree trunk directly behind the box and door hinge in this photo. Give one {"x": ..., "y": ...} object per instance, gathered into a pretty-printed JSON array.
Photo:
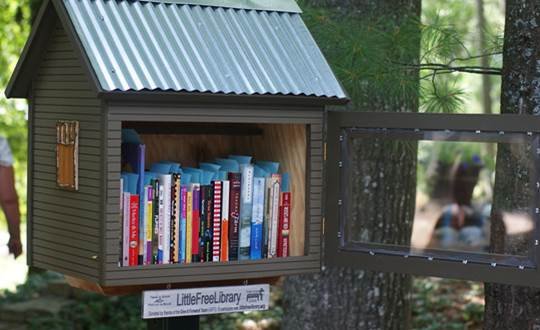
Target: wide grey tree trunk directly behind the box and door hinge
[{"x": 345, "y": 298}]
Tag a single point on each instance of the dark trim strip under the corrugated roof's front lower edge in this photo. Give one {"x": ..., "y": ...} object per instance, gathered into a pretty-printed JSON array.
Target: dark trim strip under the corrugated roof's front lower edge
[{"x": 198, "y": 97}]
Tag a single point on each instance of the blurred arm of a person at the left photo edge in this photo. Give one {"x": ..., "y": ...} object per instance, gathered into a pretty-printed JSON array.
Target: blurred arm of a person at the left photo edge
[{"x": 9, "y": 201}]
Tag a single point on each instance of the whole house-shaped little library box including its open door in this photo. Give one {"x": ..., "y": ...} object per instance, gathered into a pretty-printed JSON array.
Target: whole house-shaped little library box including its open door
[{"x": 180, "y": 142}]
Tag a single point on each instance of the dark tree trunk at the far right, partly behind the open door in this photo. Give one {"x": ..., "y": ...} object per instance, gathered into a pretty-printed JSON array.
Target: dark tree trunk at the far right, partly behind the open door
[{"x": 513, "y": 307}]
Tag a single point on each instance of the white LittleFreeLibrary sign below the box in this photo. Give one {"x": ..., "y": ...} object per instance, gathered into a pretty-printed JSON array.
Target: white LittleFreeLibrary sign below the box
[{"x": 184, "y": 302}]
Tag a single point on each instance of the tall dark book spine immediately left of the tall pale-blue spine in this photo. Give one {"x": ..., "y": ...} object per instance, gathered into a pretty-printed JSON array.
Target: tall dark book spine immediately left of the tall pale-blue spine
[{"x": 234, "y": 214}]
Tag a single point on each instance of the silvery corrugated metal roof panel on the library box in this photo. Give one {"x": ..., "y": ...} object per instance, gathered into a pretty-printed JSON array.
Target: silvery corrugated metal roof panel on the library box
[{"x": 136, "y": 46}]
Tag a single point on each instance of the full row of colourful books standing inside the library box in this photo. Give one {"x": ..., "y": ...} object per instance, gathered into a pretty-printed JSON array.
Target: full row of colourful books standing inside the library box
[{"x": 227, "y": 209}]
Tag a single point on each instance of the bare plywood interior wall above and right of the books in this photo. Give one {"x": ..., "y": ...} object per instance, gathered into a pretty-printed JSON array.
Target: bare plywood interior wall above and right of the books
[{"x": 284, "y": 143}]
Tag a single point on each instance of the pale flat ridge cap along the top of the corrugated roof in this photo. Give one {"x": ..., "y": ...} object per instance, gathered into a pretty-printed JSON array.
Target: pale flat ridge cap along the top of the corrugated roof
[{"x": 289, "y": 6}]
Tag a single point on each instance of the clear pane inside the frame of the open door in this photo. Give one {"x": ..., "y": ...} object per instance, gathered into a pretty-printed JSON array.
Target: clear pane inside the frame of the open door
[{"x": 433, "y": 191}]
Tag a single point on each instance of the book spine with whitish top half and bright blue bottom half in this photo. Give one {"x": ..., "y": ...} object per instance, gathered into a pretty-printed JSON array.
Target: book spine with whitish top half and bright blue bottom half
[{"x": 257, "y": 218}]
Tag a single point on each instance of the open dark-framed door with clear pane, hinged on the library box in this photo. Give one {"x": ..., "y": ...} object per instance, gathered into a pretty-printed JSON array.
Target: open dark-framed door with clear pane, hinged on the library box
[{"x": 418, "y": 193}]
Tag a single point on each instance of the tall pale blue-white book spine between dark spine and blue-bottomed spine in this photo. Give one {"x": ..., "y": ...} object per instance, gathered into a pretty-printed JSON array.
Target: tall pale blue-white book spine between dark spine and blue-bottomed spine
[{"x": 246, "y": 209}]
